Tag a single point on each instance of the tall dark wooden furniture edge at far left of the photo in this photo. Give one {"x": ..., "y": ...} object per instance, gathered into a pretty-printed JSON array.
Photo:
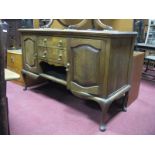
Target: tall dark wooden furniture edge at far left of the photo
[{"x": 4, "y": 123}]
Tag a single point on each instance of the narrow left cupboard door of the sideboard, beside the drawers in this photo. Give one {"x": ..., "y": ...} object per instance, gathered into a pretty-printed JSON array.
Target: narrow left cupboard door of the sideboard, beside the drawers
[{"x": 30, "y": 53}]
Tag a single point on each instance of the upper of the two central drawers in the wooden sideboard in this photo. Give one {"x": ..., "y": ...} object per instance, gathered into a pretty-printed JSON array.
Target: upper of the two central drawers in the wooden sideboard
[{"x": 48, "y": 41}]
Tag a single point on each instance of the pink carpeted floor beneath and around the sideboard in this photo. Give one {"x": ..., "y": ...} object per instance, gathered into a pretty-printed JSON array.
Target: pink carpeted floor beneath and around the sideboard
[{"x": 53, "y": 110}]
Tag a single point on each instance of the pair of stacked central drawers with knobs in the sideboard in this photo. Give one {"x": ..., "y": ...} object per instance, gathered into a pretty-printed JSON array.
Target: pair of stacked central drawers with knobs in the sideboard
[{"x": 52, "y": 50}]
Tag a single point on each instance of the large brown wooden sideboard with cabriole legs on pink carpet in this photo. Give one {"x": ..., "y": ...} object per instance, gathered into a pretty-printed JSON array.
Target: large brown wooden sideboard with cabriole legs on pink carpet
[{"x": 97, "y": 63}]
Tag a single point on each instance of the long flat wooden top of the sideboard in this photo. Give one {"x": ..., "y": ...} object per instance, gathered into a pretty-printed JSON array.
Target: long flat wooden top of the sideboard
[{"x": 97, "y": 33}]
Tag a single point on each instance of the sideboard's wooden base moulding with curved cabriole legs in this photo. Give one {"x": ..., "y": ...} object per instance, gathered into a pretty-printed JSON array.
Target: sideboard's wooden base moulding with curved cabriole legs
[{"x": 104, "y": 103}]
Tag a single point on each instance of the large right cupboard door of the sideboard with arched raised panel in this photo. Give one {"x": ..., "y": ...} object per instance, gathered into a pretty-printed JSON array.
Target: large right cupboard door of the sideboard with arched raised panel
[{"x": 86, "y": 65}]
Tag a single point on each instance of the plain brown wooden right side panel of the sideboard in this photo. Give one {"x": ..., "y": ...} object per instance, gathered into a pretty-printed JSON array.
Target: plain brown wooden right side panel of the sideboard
[{"x": 119, "y": 63}]
